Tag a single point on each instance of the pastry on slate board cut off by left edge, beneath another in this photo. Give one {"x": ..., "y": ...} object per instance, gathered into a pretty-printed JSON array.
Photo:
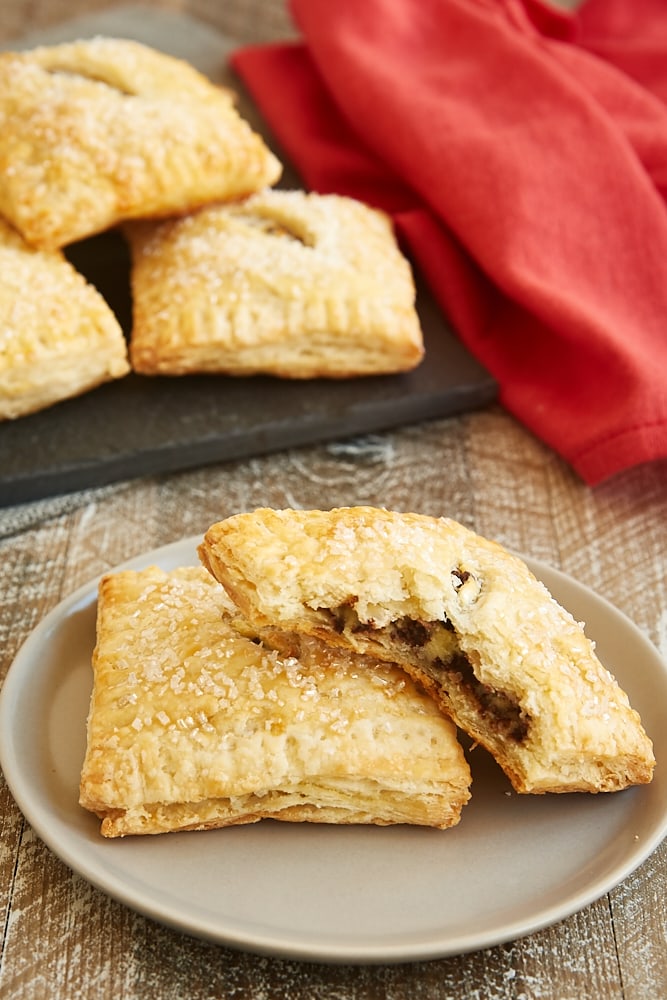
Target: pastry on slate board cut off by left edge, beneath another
[{"x": 58, "y": 337}]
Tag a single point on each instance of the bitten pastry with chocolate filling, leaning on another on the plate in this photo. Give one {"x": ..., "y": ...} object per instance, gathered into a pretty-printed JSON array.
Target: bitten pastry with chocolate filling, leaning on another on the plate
[{"x": 461, "y": 615}]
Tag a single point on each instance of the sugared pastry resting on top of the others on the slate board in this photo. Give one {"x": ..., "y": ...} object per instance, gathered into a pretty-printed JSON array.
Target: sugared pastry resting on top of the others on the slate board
[{"x": 96, "y": 131}]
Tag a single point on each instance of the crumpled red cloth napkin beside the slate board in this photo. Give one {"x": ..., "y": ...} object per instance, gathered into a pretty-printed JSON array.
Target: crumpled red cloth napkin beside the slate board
[{"x": 522, "y": 152}]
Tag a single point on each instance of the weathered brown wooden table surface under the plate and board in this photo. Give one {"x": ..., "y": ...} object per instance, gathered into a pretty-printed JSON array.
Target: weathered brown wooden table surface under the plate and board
[{"x": 63, "y": 938}]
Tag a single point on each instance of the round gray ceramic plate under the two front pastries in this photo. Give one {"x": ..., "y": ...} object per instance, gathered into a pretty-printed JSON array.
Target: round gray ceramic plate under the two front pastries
[{"x": 338, "y": 894}]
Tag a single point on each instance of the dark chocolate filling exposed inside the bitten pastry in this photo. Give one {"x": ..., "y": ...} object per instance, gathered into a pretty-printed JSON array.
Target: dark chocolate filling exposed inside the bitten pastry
[{"x": 440, "y": 656}]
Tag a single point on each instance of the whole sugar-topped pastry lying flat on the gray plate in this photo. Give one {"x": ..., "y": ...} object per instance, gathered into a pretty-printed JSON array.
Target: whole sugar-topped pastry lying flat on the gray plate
[{"x": 193, "y": 725}]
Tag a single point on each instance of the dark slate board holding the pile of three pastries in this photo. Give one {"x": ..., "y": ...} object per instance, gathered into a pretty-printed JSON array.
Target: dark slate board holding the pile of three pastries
[{"x": 139, "y": 426}]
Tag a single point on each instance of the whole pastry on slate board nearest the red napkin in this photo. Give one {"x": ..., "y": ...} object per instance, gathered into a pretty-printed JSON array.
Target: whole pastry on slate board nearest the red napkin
[{"x": 284, "y": 283}]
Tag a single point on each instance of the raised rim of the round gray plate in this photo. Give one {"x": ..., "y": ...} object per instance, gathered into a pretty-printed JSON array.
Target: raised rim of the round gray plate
[{"x": 429, "y": 946}]
